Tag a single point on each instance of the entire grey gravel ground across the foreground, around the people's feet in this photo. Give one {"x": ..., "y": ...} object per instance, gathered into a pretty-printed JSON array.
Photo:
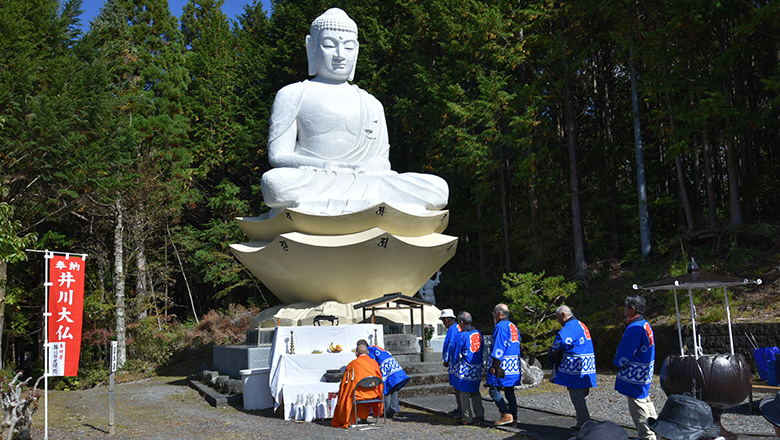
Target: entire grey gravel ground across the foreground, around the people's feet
[{"x": 166, "y": 408}]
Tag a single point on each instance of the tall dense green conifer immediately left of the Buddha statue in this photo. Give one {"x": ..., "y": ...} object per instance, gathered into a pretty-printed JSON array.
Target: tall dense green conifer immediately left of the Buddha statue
[{"x": 227, "y": 102}]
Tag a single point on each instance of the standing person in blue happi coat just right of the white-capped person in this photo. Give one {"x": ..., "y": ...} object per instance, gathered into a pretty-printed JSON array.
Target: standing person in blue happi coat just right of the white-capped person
[{"x": 467, "y": 358}]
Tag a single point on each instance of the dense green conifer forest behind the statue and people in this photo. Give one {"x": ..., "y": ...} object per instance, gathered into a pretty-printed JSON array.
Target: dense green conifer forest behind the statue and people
[{"x": 588, "y": 146}]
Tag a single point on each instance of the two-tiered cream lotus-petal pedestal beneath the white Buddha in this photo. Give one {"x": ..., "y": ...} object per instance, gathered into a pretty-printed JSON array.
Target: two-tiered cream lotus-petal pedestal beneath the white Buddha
[{"x": 347, "y": 258}]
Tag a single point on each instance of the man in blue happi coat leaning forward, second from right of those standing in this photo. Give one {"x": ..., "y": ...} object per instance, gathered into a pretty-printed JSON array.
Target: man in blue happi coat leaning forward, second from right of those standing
[{"x": 575, "y": 362}]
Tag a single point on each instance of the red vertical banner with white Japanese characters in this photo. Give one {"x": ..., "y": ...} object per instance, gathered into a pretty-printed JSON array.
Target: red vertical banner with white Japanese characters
[{"x": 66, "y": 304}]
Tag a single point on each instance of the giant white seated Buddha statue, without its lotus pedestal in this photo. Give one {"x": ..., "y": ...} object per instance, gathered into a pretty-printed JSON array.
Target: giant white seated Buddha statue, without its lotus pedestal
[{"x": 328, "y": 138}]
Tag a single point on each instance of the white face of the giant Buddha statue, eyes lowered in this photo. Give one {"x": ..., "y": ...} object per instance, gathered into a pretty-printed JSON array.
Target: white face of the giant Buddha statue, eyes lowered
[{"x": 334, "y": 55}]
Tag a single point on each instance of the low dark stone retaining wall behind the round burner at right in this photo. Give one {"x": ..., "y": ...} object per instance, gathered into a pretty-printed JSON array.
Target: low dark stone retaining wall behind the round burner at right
[{"x": 714, "y": 339}]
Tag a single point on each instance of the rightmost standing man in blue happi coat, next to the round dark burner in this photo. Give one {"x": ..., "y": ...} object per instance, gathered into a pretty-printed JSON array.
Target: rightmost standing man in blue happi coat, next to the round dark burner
[{"x": 635, "y": 359}]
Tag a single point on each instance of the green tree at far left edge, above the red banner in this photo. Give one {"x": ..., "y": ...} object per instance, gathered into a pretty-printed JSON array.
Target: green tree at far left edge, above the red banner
[{"x": 43, "y": 120}]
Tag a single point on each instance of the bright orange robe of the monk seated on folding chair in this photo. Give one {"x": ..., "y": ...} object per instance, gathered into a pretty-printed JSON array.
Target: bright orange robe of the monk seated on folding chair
[{"x": 344, "y": 413}]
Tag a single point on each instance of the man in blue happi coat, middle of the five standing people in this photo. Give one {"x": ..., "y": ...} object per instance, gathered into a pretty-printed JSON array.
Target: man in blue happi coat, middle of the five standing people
[{"x": 504, "y": 372}]
